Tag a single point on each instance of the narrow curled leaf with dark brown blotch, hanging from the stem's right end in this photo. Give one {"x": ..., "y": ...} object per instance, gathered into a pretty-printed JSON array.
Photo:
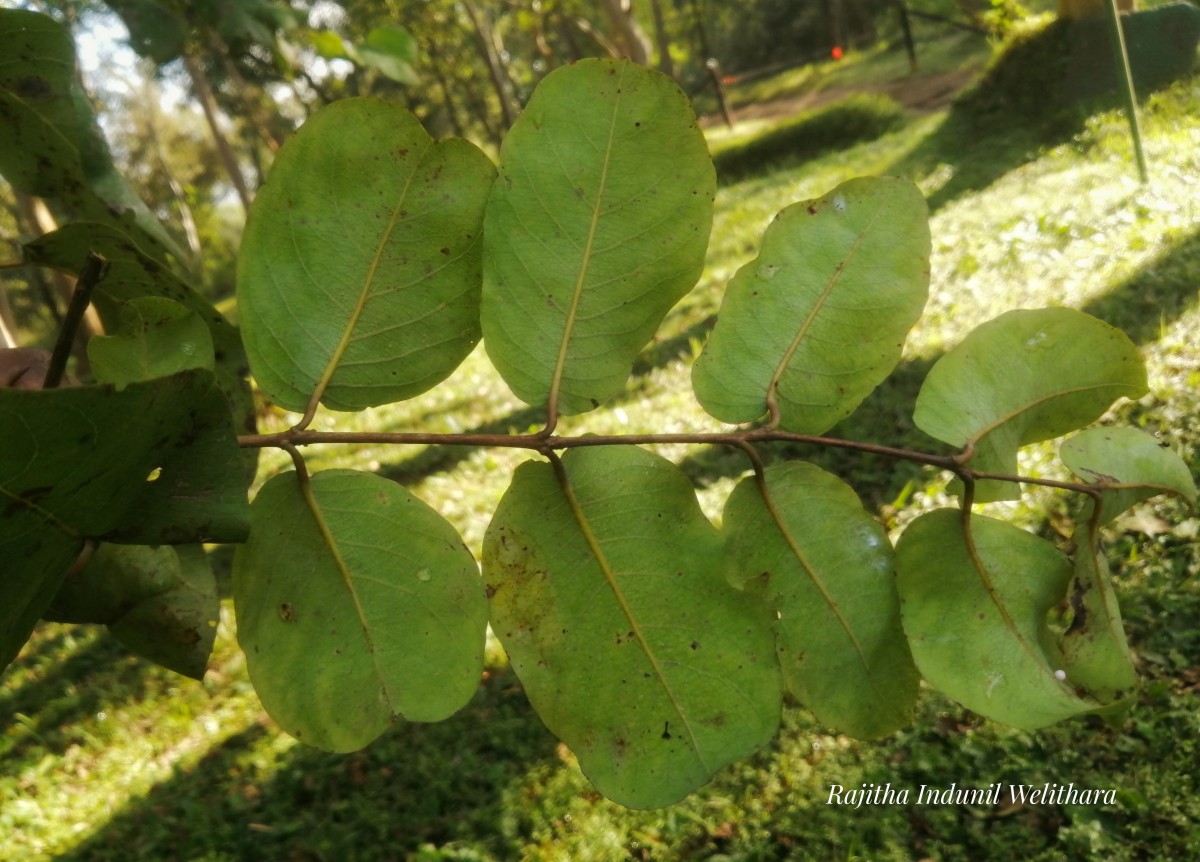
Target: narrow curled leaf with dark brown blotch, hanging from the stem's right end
[{"x": 1095, "y": 649}]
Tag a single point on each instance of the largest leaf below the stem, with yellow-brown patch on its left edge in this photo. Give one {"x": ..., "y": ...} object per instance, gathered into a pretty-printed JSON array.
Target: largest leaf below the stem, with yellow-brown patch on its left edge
[{"x": 608, "y": 594}]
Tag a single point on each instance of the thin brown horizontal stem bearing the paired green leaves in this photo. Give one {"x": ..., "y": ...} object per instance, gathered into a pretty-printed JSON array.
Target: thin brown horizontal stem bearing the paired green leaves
[{"x": 548, "y": 444}]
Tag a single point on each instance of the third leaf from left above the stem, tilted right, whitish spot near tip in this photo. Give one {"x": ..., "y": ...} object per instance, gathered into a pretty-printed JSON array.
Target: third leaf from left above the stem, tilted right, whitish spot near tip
[{"x": 813, "y": 325}]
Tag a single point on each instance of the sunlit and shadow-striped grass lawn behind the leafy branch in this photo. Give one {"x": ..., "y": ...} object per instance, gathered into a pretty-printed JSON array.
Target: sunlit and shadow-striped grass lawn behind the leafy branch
[{"x": 107, "y": 758}]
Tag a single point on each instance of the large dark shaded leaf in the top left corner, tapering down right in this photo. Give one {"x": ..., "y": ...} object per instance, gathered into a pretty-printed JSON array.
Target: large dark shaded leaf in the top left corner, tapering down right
[{"x": 53, "y": 145}]
